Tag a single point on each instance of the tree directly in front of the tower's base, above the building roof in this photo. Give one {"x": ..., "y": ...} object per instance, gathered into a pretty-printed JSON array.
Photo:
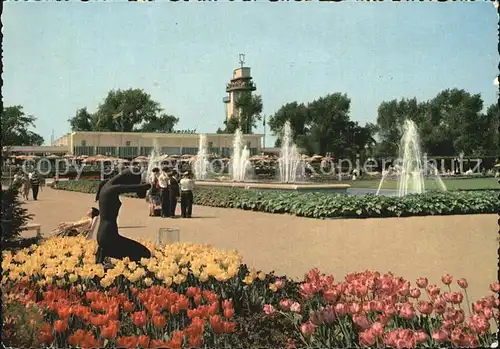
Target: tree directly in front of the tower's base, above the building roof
[{"x": 249, "y": 108}]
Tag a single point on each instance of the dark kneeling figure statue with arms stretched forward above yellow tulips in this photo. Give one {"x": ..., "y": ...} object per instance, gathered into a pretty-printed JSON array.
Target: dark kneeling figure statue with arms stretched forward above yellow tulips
[{"x": 111, "y": 244}]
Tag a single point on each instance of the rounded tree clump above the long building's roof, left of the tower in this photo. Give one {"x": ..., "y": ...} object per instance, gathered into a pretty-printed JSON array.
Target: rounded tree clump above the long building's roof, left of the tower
[{"x": 126, "y": 111}]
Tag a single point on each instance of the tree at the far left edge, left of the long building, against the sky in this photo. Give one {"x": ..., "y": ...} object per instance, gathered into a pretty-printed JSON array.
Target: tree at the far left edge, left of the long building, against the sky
[{"x": 15, "y": 127}]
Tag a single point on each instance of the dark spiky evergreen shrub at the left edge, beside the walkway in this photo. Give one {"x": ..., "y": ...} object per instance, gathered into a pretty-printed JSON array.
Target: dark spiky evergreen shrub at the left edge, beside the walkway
[{"x": 14, "y": 215}]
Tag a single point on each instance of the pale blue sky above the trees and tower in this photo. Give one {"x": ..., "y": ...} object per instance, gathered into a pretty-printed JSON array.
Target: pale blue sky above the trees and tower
[{"x": 62, "y": 56}]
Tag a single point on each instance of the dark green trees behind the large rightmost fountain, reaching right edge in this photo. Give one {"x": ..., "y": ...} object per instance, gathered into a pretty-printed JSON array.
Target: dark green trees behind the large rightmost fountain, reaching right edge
[{"x": 450, "y": 123}]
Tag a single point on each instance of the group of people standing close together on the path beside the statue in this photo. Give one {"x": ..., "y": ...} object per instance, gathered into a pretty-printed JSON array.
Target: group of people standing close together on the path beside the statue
[{"x": 166, "y": 189}]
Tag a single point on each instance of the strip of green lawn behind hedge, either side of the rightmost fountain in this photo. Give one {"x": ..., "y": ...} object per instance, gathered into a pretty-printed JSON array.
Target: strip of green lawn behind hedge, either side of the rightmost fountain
[{"x": 451, "y": 184}]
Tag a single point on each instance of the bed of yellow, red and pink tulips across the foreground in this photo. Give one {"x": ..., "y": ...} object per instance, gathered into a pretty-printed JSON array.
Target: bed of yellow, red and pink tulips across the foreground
[{"x": 190, "y": 296}]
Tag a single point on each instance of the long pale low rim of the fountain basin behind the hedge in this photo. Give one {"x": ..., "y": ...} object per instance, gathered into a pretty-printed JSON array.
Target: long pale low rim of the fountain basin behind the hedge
[{"x": 289, "y": 187}]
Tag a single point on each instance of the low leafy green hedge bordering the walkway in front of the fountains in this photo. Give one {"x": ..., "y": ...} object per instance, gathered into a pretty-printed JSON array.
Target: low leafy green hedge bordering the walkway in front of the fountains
[{"x": 319, "y": 205}]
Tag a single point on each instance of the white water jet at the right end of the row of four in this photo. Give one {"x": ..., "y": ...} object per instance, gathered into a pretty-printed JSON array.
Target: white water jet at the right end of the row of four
[{"x": 290, "y": 162}]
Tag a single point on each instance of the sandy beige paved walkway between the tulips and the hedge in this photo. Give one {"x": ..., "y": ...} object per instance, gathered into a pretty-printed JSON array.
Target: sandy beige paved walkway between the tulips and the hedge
[{"x": 464, "y": 246}]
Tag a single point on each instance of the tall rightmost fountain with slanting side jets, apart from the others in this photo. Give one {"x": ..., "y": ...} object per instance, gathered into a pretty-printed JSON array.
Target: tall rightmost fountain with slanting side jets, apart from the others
[{"x": 411, "y": 165}]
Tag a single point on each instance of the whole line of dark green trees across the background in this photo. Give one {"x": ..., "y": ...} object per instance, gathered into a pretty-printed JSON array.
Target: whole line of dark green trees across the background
[{"x": 453, "y": 122}]
